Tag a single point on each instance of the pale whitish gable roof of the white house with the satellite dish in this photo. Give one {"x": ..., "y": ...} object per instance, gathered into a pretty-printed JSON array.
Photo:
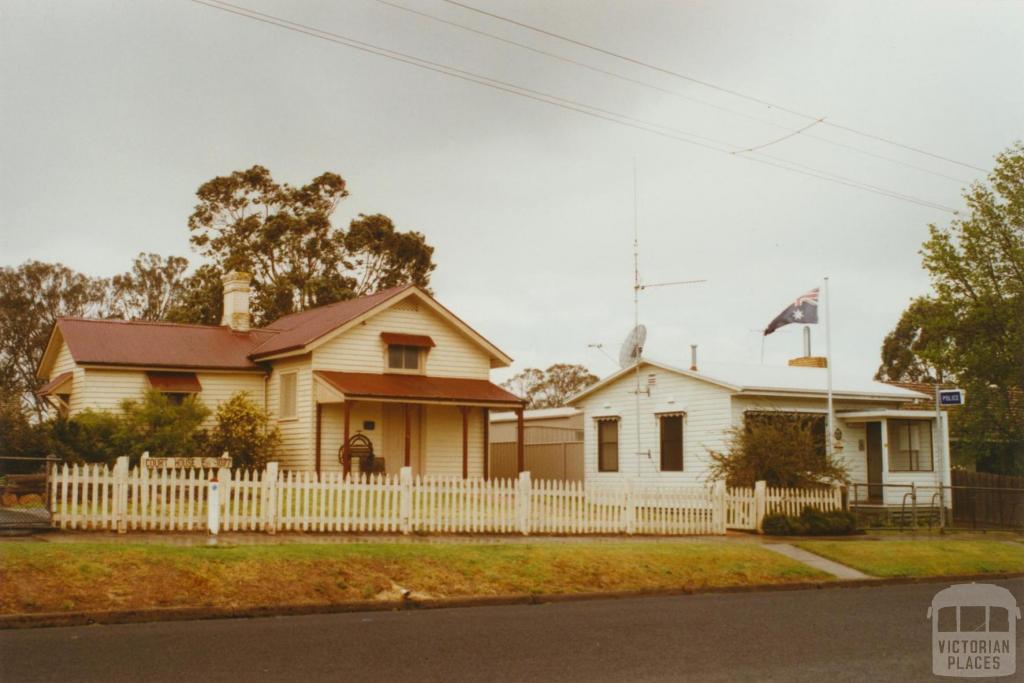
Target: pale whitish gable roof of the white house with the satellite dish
[{"x": 757, "y": 380}]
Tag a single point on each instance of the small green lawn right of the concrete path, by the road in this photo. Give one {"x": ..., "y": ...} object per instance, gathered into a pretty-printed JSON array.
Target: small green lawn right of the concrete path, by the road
[{"x": 924, "y": 558}]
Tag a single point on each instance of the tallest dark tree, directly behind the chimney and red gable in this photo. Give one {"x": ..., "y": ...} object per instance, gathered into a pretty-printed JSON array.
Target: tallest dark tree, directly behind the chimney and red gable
[{"x": 283, "y": 236}]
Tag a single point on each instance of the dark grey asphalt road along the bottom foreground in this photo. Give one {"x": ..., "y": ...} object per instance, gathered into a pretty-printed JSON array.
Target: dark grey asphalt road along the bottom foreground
[{"x": 858, "y": 634}]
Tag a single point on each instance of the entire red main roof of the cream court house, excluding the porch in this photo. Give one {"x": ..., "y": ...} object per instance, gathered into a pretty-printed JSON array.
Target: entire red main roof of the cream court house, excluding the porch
[{"x": 137, "y": 344}]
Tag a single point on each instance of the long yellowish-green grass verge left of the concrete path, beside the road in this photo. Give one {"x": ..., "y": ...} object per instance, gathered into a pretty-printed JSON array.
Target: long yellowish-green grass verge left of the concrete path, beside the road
[{"x": 57, "y": 577}]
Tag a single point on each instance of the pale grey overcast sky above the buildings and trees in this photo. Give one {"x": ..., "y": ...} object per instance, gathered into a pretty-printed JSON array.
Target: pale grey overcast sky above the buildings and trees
[{"x": 113, "y": 113}]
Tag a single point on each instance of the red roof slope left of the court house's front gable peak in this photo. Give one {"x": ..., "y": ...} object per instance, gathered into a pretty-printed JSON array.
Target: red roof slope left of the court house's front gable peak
[{"x": 297, "y": 330}]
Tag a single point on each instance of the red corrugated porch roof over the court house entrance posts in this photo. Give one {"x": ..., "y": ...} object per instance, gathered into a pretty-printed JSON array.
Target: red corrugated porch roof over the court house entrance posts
[{"x": 418, "y": 388}]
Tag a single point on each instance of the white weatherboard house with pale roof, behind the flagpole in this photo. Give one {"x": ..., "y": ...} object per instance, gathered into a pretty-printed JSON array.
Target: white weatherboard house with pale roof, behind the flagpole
[{"x": 686, "y": 413}]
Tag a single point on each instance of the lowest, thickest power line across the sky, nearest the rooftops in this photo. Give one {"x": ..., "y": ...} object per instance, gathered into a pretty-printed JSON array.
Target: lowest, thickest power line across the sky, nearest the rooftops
[{"x": 582, "y": 108}]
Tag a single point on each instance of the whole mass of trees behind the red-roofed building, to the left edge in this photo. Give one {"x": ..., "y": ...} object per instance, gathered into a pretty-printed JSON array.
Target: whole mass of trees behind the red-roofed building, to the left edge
[{"x": 246, "y": 221}]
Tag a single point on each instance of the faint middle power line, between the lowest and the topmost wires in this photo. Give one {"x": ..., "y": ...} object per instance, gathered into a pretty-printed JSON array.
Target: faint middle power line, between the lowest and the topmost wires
[{"x": 675, "y": 94}]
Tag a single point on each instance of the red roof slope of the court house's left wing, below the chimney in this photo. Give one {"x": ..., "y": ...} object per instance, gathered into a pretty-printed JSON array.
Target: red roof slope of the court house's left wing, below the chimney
[{"x": 159, "y": 345}]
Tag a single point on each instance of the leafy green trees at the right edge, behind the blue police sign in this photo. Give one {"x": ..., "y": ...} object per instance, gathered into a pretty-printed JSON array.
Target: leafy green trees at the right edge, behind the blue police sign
[{"x": 970, "y": 329}]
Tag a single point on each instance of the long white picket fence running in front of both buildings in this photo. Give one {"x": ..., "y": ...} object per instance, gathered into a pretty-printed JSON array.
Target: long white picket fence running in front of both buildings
[{"x": 96, "y": 497}]
